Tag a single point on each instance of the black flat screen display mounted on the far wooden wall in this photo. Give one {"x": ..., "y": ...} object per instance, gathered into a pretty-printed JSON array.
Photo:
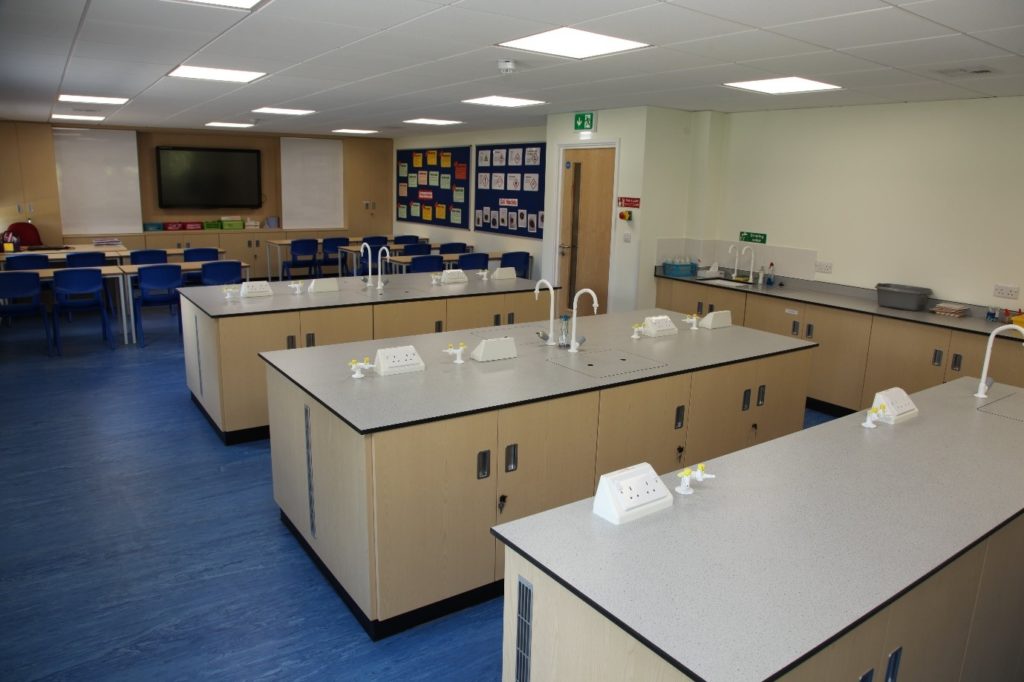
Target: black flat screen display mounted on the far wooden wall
[{"x": 192, "y": 178}]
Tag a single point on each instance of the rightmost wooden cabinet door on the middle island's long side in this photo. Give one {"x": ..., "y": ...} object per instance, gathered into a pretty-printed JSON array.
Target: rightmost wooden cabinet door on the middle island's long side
[{"x": 781, "y": 395}]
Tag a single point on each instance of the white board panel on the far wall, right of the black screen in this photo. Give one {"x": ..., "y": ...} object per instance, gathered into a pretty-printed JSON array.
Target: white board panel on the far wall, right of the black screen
[{"x": 312, "y": 190}]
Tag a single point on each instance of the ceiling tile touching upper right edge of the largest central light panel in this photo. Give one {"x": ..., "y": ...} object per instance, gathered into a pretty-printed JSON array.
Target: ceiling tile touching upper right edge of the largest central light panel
[{"x": 661, "y": 25}]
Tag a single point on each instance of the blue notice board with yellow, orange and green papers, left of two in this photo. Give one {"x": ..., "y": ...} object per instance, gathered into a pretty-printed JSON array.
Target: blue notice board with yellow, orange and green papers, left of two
[{"x": 433, "y": 187}]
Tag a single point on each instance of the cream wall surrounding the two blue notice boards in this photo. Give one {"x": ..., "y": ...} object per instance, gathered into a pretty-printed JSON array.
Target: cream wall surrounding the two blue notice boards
[{"x": 482, "y": 241}]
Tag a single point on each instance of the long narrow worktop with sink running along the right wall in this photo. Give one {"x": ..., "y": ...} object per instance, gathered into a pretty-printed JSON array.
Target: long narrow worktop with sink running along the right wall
[{"x": 847, "y": 299}]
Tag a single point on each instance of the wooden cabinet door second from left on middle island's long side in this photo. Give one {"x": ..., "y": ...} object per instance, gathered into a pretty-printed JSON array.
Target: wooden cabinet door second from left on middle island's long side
[{"x": 545, "y": 459}]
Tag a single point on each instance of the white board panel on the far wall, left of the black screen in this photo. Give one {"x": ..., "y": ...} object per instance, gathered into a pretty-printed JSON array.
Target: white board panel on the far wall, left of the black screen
[{"x": 98, "y": 178}]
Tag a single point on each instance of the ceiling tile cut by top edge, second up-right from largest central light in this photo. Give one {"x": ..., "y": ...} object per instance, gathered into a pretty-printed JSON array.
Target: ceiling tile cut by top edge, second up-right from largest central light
[{"x": 756, "y": 14}]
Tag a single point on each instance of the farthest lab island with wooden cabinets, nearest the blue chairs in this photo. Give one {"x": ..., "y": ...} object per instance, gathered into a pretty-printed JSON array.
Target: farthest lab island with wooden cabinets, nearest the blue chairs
[{"x": 224, "y": 337}]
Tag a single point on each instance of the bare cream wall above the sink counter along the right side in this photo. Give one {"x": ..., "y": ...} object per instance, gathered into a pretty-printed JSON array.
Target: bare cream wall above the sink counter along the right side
[{"x": 928, "y": 194}]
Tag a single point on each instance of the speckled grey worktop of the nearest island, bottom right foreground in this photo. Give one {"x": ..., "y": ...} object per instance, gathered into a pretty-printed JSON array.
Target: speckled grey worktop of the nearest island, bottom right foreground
[{"x": 796, "y": 539}]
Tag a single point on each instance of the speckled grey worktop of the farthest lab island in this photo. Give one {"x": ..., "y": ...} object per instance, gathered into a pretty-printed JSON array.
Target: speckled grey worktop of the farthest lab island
[{"x": 352, "y": 291}]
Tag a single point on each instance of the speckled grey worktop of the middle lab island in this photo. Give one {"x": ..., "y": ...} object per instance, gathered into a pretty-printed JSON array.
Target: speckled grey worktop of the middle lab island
[{"x": 446, "y": 390}]
